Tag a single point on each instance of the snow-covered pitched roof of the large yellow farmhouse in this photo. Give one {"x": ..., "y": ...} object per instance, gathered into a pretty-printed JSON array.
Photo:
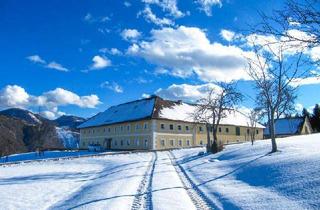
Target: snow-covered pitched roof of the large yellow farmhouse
[{"x": 157, "y": 108}]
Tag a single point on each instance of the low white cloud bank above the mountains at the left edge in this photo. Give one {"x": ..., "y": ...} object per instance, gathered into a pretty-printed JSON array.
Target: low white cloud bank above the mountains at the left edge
[{"x": 15, "y": 96}]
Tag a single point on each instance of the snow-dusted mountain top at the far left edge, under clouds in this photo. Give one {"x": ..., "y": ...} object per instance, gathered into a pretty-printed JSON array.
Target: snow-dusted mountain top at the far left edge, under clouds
[{"x": 25, "y": 115}]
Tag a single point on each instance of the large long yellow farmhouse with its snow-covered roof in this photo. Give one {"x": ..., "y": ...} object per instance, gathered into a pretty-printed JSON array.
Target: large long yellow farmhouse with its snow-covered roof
[{"x": 155, "y": 124}]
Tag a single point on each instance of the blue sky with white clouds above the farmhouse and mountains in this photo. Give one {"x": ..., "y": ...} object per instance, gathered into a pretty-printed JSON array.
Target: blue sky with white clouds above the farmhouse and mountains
[{"x": 79, "y": 57}]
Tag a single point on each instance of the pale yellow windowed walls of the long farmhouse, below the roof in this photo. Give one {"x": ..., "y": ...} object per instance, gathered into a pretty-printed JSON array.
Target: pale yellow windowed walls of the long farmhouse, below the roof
[{"x": 158, "y": 134}]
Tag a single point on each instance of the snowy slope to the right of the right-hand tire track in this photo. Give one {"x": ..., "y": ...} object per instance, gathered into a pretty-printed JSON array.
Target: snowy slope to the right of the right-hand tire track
[{"x": 247, "y": 177}]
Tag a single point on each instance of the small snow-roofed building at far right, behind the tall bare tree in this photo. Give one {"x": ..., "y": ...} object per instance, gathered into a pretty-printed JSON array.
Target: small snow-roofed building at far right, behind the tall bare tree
[{"x": 290, "y": 126}]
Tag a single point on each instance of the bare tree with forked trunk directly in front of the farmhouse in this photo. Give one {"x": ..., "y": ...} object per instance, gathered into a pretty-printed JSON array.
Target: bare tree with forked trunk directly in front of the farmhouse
[{"x": 214, "y": 107}]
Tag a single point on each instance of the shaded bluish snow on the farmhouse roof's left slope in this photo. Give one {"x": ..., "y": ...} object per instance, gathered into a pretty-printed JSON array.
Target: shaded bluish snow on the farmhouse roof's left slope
[{"x": 131, "y": 111}]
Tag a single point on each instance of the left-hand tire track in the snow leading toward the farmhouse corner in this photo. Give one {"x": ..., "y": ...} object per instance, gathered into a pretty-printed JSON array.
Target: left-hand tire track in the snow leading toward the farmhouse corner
[{"x": 143, "y": 198}]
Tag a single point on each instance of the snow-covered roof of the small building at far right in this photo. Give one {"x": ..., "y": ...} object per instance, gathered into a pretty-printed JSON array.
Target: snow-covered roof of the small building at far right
[{"x": 286, "y": 126}]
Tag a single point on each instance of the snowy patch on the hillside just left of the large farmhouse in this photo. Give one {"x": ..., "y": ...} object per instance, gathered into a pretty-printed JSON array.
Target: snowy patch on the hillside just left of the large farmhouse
[{"x": 70, "y": 139}]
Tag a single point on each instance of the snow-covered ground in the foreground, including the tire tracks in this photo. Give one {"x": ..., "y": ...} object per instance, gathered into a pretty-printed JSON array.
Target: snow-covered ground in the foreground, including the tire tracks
[{"x": 240, "y": 177}]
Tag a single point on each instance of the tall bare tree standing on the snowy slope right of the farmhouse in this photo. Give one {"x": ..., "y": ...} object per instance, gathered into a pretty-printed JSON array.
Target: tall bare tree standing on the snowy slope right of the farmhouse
[{"x": 274, "y": 67}]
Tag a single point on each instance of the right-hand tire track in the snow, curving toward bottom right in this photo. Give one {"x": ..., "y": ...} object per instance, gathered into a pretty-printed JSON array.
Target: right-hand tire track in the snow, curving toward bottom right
[{"x": 198, "y": 198}]
